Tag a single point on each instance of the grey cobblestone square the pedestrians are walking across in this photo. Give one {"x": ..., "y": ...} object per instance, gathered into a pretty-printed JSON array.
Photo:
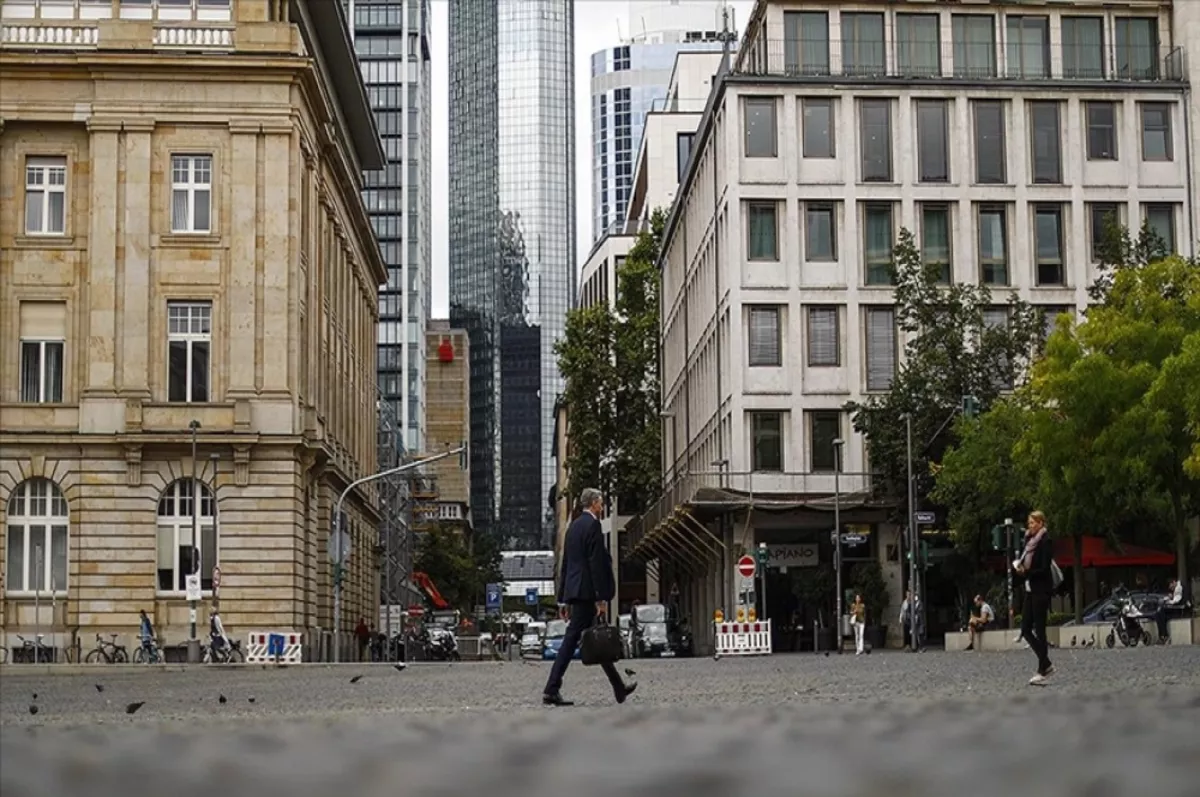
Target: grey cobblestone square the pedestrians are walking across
[{"x": 1113, "y": 723}]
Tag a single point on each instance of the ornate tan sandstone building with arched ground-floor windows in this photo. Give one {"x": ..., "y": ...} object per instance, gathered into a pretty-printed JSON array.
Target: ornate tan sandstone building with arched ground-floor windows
[{"x": 183, "y": 242}]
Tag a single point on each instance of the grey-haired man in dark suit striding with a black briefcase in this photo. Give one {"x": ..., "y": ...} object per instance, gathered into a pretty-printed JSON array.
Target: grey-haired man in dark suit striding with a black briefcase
[{"x": 585, "y": 589}]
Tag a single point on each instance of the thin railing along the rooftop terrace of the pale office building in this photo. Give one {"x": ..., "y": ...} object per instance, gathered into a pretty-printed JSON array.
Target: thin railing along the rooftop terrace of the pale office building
[{"x": 945, "y": 61}]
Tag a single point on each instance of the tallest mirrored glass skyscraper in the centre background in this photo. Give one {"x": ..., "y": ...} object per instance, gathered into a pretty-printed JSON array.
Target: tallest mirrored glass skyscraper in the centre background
[{"x": 513, "y": 245}]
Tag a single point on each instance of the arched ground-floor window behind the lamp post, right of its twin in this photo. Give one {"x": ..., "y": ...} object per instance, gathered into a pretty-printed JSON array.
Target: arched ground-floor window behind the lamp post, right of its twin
[{"x": 178, "y": 554}]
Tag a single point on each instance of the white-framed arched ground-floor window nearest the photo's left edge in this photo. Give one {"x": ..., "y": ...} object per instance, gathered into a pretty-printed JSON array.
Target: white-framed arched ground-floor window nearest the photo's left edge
[{"x": 37, "y": 554}]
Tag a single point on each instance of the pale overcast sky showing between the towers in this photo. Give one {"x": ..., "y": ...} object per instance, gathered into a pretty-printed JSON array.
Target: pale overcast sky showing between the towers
[{"x": 598, "y": 25}]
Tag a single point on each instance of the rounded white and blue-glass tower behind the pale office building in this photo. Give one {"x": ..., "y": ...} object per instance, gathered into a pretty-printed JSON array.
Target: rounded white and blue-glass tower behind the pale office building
[{"x": 629, "y": 81}]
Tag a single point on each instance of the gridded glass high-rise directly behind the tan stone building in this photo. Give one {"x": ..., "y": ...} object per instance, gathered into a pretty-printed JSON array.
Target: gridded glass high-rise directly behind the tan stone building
[{"x": 392, "y": 39}]
